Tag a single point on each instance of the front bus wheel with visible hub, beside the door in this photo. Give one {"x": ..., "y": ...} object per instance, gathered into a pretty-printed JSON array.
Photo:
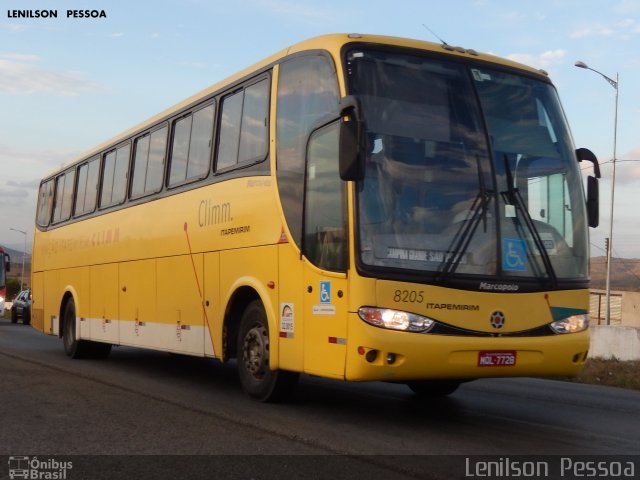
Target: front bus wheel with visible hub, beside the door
[{"x": 257, "y": 379}]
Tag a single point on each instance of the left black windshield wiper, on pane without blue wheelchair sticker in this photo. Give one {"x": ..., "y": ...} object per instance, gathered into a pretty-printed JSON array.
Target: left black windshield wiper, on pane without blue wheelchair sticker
[{"x": 461, "y": 240}]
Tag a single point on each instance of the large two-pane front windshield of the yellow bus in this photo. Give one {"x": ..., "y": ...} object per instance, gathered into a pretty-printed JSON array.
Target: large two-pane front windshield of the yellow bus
[{"x": 469, "y": 171}]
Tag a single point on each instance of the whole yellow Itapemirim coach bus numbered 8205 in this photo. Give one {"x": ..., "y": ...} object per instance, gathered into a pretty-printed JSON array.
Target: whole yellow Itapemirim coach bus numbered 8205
[{"x": 355, "y": 207}]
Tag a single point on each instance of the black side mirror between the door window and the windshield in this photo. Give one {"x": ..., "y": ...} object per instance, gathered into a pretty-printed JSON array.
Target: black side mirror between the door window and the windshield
[{"x": 351, "y": 162}]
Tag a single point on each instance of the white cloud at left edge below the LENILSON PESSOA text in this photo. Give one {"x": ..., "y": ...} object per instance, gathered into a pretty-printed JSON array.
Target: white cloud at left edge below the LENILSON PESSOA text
[{"x": 19, "y": 75}]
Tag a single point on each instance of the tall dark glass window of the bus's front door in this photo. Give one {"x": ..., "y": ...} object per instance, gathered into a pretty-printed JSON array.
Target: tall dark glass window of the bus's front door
[{"x": 325, "y": 226}]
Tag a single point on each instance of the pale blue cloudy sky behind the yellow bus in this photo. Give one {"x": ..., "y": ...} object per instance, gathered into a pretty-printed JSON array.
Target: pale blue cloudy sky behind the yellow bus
[{"x": 68, "y": 84}]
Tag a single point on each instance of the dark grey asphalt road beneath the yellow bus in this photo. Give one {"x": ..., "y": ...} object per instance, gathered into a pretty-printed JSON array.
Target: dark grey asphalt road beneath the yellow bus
[{"x": 186, "y": 414}]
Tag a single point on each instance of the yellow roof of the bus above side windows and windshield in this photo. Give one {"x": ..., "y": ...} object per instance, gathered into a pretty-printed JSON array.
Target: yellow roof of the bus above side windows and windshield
[{"x": 331, "y": 42}]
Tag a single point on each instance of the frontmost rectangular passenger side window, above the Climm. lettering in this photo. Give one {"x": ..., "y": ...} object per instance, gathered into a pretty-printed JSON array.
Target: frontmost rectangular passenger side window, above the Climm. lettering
[{"x": 243, "y": 126}]
